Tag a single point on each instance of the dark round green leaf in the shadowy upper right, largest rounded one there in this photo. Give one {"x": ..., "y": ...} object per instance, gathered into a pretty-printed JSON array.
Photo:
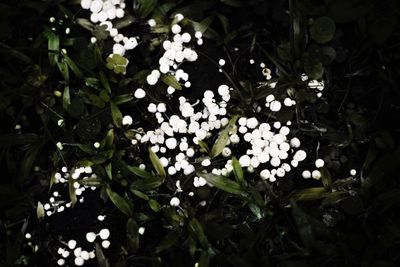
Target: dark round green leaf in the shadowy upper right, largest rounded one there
[{"x": 323, "y": 29}]
